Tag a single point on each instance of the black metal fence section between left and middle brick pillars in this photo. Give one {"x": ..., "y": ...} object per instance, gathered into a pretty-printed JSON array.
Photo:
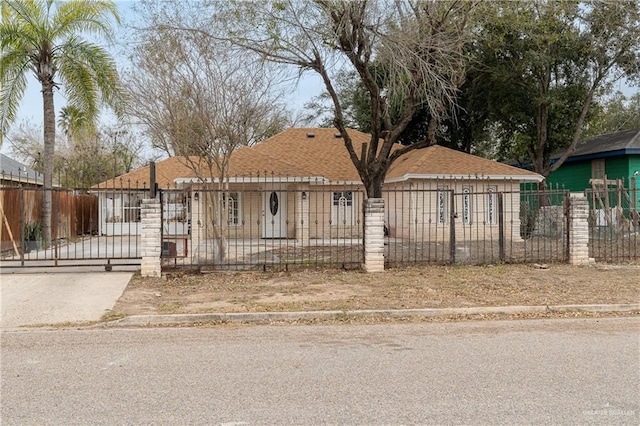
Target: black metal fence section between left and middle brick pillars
[{"x": 262, "y": 223}]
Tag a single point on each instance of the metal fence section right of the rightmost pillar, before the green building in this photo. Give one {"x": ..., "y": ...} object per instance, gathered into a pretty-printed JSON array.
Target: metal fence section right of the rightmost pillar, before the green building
[{"x": 614, "y": 220}]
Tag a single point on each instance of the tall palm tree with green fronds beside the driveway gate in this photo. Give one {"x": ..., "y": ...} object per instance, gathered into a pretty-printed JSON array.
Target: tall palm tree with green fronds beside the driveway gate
[{"x": 43, "y": 37}]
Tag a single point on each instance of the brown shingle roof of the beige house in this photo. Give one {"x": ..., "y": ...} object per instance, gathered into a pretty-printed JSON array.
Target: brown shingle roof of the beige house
[{"x": 294, "y": 153}]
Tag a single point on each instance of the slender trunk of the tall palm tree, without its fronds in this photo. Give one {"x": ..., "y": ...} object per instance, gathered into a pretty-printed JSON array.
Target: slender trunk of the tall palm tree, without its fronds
[{"x": 49, "y": 148}]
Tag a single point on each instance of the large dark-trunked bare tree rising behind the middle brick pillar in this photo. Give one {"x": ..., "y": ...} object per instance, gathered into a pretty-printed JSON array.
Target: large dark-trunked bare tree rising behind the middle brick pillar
[{"x": 416, "y": 44}]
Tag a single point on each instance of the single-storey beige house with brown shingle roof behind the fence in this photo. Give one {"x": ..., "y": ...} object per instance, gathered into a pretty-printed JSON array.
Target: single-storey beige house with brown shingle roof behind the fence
[{"x": 301, "y": 184}]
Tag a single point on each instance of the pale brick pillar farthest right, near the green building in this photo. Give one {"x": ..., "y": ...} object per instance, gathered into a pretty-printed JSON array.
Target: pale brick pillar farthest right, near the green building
[{"x": 578, "y": 230}]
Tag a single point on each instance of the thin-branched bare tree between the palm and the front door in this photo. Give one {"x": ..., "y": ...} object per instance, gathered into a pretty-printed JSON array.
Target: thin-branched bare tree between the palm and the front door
[{"x": 201, "y": 102}]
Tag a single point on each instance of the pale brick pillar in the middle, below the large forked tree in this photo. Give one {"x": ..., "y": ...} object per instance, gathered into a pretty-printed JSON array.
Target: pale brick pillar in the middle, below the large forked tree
[{"x": 374, "y": 235}]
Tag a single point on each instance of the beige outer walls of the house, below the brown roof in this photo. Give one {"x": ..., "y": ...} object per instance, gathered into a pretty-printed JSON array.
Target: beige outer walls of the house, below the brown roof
[{"x": 411, "y": 210}]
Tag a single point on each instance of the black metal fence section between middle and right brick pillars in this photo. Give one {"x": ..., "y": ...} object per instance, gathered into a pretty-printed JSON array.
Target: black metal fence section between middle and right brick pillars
[{"x": 474, "y": 221}]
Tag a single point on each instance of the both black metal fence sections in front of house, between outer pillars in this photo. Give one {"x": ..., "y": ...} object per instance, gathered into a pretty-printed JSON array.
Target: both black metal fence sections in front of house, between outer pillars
[{"x": 276, "y": 222}]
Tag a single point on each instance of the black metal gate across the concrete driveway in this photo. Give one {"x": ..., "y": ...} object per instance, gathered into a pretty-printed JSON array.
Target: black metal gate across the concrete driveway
[{"x": 88, "y": 228}]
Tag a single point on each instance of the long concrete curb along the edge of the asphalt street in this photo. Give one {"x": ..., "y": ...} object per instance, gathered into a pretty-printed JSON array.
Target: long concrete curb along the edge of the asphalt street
[{"x": 250, "y": 317}]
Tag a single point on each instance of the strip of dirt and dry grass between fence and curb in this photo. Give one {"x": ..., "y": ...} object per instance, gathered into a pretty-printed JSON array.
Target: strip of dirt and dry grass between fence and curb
[{"x": 410, "y": 287}]
